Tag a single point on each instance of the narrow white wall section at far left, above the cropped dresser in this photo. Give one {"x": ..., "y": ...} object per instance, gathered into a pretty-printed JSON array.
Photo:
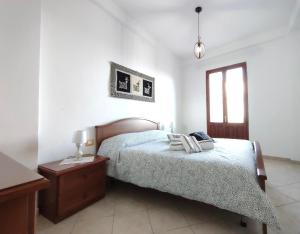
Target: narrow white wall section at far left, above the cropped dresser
[{"x": 19, "y": 72}]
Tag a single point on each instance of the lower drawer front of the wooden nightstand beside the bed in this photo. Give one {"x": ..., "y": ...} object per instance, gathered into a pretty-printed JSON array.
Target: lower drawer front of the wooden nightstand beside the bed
[{"x": 76, "y": 199}]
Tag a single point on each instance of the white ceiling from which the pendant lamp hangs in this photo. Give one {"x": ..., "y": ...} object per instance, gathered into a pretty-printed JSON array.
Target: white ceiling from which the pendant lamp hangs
[{"x": 222, "y": 22}]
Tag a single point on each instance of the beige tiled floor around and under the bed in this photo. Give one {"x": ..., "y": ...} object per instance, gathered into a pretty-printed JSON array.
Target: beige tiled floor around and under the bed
[{"x": 131, "y": 210}]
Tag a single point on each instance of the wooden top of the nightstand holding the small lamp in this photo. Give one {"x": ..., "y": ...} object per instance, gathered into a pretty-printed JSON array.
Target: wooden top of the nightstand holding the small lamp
[{"x": 57, "y": 169}]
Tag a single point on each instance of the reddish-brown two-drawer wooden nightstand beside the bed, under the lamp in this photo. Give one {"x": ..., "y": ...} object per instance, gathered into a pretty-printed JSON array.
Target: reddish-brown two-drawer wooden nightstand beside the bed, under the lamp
[{"x": 72, "y": 188}]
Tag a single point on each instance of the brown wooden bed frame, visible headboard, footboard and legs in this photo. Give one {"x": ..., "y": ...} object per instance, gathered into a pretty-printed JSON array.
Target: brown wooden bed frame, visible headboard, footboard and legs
[{"x": 139, "y": 124}]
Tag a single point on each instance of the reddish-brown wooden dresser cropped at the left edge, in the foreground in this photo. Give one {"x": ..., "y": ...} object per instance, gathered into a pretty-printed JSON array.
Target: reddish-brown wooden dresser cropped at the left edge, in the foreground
[{"x": 18, "y": 187}]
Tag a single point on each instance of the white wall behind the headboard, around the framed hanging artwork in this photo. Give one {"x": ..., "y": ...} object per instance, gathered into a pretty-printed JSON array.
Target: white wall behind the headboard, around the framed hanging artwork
[{"x": 78, "y": 40}]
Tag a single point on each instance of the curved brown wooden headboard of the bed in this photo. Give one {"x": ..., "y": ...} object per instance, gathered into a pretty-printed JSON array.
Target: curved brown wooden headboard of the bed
[{"x": 123, "y": 126}]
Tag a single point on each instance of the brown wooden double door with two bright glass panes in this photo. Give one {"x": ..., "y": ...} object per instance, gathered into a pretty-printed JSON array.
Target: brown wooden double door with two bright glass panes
[{"x": 227, "y": 101}]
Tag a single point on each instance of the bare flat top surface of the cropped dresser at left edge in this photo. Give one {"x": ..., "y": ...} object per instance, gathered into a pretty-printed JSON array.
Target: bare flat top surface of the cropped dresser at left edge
[{"x": 13, "y": 173}]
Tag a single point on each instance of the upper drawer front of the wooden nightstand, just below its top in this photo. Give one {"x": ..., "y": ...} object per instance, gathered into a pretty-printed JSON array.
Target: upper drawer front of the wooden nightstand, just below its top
[{"x": 82, "y": 179}]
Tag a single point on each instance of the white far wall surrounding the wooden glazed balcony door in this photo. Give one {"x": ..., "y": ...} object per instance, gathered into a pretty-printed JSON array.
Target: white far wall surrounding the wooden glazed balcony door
[{"x": 273, "y": 86}]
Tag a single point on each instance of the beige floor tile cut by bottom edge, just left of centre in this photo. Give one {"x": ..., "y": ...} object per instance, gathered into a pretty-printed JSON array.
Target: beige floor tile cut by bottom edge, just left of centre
[{"x": 133, "y": 223}]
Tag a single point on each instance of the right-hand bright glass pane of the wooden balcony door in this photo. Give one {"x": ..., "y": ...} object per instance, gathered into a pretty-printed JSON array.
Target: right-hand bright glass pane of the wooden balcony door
[{"x": 235, "y": 95}]
